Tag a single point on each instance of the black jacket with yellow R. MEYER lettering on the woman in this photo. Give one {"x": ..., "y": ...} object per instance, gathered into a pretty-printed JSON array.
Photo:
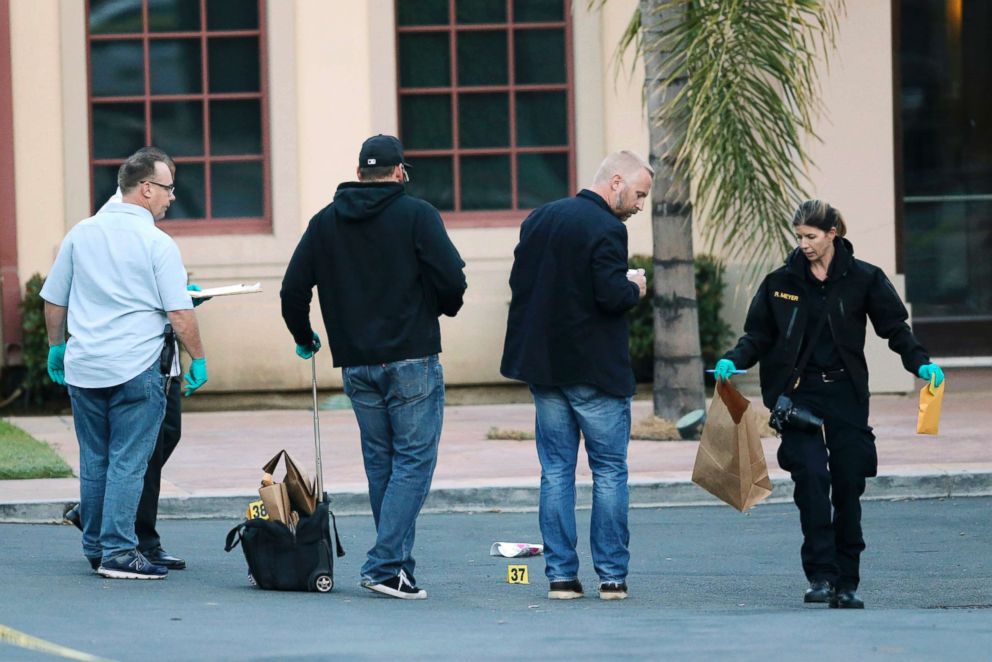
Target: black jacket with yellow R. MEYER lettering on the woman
[{"x": 776, "y": 323}]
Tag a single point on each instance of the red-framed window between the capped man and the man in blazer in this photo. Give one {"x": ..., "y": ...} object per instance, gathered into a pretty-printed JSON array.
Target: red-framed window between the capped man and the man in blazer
[{"x": 485, "y": 103}]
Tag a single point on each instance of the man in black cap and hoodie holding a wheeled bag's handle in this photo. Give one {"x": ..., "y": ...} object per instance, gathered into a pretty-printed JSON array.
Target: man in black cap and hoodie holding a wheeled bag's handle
[{"x": 385, "y": 270}]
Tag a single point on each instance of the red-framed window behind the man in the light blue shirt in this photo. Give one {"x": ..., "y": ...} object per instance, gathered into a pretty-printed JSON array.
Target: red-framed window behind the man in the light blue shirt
[{"x": 187, "y": 76}]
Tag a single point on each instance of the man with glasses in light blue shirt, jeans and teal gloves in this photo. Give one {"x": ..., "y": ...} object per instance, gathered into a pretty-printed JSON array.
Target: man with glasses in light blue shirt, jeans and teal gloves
[{"x": 117, "y": 280}]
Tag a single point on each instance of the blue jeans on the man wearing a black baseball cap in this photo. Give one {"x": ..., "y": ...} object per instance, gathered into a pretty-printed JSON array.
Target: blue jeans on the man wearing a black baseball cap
[{"x": 400, "y": 409}]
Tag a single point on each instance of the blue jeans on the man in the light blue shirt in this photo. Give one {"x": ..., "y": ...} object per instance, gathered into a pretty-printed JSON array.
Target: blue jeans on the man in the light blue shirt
[{"x": 116, "y": 427}]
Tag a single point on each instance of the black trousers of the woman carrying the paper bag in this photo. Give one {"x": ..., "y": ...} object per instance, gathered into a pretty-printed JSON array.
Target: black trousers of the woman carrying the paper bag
[{"x": 830, "y": 470}]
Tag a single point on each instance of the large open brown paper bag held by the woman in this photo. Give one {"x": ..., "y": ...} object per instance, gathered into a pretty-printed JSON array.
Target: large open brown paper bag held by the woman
[{"x": 730, "y": 462}]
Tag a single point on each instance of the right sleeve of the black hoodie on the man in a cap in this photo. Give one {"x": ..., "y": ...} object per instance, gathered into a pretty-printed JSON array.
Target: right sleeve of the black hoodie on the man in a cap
[{"x": 442, "y": 265}]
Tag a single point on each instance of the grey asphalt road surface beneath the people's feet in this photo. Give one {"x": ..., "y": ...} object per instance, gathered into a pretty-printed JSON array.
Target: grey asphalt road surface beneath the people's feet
[{"x": 706, "y": 583}]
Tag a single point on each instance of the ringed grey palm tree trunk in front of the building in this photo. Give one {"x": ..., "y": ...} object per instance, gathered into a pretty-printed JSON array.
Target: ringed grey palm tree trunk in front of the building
[{"x": 678, "y": 364}]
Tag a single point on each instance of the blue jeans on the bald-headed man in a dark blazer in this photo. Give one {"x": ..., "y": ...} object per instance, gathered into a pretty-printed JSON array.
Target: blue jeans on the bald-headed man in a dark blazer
[{"x": 604, "y": 420}]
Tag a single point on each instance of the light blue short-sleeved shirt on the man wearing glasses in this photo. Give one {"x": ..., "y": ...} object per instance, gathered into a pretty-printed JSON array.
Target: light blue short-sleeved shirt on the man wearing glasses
[{"x": 118, "y": 274}]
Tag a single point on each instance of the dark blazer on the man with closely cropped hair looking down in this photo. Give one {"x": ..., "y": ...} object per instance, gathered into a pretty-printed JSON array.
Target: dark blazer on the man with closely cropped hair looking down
[{"x": 569, "y": 294}]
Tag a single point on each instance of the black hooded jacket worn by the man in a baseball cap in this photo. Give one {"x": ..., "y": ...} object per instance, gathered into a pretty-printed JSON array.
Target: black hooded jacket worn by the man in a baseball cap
[{"x": 385, "y": 270}]
